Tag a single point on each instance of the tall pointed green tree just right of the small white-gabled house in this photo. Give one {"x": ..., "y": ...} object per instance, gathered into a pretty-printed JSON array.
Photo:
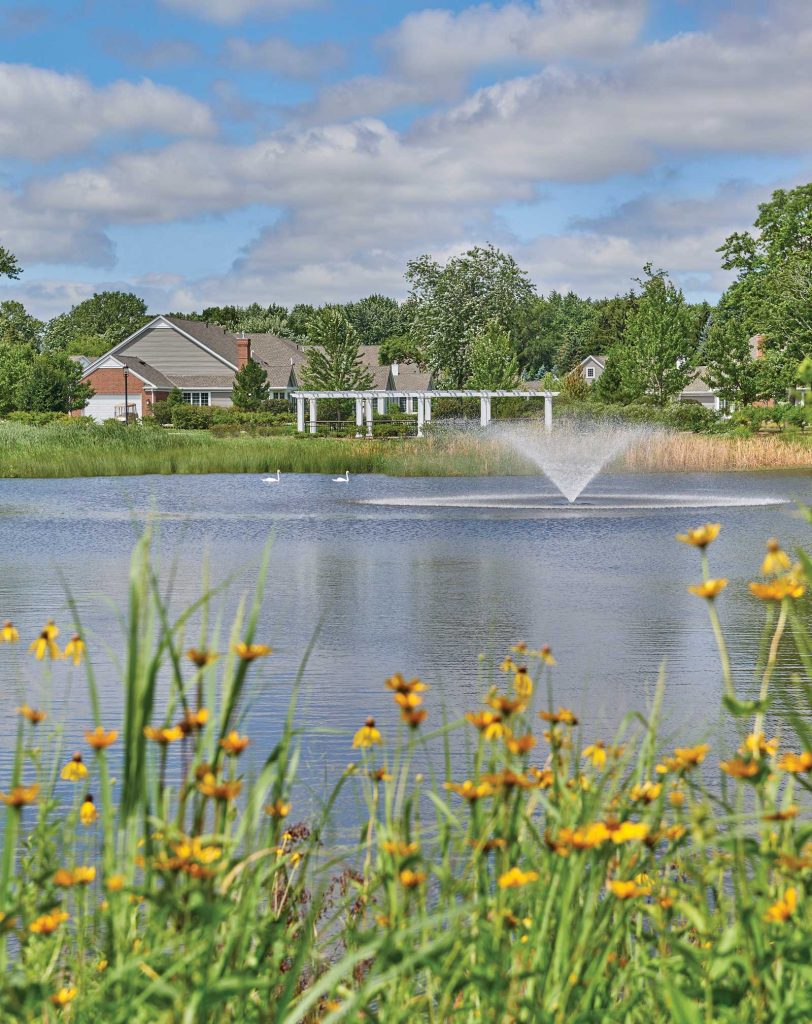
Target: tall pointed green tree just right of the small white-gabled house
[{"x": 658, "y": 356}]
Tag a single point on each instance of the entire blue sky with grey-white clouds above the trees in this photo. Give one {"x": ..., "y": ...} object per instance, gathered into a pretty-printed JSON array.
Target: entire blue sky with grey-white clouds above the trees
[{"x": 203, "y": 152}]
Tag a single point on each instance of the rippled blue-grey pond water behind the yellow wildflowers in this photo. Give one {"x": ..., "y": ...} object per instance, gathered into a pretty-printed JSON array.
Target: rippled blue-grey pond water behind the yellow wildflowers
[{"x": 417, "y": 576}]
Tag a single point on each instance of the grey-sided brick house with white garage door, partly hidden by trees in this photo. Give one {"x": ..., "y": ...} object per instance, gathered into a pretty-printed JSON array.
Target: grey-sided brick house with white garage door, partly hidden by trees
[{"x": 201, "y": 360}]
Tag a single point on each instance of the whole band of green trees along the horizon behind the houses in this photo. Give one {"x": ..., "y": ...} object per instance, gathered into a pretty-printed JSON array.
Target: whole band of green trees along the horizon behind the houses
[{"x": 478, "y": 321}]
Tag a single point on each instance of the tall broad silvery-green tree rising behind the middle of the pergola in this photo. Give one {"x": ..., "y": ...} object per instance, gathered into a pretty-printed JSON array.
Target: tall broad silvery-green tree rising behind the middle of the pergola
[{"x": 456, "y": 302}]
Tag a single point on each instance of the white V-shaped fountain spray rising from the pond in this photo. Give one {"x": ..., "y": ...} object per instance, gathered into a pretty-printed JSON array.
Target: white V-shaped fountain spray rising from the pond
[{"x": 575, "y": 452}]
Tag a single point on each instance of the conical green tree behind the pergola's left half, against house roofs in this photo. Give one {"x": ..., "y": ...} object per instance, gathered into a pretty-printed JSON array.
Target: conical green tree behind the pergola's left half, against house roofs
[{"x": 334, "y": 362}]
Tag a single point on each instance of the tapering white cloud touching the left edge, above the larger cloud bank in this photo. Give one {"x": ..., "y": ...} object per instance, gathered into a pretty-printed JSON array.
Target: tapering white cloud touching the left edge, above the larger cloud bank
[{"x": 70, "y": 114}]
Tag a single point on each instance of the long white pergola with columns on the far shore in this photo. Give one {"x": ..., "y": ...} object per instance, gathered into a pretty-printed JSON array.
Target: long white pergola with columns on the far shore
[{"x": 365, "y": 402}]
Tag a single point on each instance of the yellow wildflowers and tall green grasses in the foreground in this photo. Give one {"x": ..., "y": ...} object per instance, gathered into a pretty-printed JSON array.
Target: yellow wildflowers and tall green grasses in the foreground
[{"x": 544, "y": 878}]
